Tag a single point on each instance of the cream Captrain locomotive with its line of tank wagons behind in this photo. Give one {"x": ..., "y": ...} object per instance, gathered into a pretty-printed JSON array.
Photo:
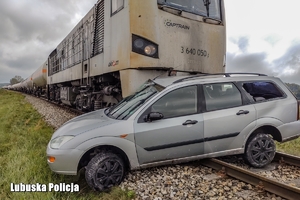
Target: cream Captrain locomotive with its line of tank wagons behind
[{"x": 119, "y": 44}]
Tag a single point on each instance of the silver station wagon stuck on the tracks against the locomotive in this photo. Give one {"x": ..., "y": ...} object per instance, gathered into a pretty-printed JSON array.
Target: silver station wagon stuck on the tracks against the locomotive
[{"x": 178, "y": 119}]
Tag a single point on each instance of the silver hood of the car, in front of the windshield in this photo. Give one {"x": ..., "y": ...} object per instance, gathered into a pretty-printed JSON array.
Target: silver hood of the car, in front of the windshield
[{"x": 85, "y": 123}]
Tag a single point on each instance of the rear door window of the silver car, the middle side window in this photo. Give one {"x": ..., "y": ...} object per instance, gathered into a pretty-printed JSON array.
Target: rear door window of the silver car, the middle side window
[{"x": 221, "y": 96}]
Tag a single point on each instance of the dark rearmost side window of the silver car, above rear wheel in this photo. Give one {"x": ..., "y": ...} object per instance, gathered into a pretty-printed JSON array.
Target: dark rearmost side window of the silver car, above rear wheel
[{"x": 262, "y": 90}]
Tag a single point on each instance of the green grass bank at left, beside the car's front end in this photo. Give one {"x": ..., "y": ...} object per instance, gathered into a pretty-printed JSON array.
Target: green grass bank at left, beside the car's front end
[{"x": 23, "y": 139}]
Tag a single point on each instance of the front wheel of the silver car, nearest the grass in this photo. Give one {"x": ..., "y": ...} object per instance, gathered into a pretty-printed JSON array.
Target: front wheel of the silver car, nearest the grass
[{"x": 104, "y": 170}]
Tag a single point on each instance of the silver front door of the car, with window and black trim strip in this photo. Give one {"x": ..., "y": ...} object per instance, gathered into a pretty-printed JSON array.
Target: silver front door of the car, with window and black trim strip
[{"x": 178, "y": 134}]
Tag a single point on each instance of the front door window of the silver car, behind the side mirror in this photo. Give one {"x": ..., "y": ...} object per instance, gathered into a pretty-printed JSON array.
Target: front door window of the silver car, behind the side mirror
[{"x": 177, "y": 103}]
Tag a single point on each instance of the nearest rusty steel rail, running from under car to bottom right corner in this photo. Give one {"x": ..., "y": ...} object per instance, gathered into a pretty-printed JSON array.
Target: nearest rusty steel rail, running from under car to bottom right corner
[{"x": 275, "y": 187}]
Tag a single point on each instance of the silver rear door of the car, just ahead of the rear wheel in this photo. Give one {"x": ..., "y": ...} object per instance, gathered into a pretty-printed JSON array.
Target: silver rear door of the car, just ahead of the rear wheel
[{"x": 226, "y": 116}]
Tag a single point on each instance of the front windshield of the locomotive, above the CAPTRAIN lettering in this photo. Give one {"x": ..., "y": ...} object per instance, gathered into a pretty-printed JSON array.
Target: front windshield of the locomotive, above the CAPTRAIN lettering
[{"x": 206, "y": 8}]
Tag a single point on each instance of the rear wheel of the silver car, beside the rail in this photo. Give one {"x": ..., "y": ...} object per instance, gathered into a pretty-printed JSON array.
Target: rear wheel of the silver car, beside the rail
[{"x": 260, "y": 150}]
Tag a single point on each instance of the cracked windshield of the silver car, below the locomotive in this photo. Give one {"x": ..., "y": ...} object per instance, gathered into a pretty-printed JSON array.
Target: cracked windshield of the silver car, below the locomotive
[{"x": 125, "y": 108}]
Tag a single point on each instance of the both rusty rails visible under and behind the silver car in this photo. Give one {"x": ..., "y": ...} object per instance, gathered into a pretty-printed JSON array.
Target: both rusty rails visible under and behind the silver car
[{"x": 279, "y": 188}]
